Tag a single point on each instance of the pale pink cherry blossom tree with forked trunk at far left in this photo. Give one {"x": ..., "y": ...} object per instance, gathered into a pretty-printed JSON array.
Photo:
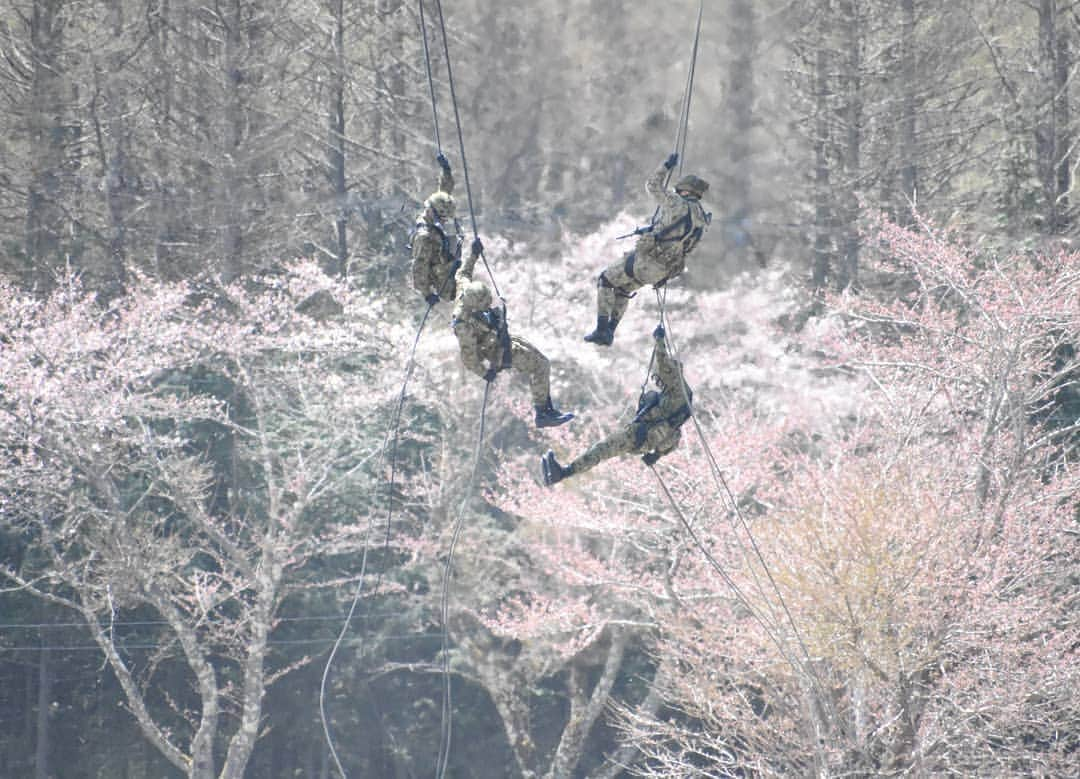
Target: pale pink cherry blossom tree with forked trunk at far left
[{"x": 194, "y": 459}]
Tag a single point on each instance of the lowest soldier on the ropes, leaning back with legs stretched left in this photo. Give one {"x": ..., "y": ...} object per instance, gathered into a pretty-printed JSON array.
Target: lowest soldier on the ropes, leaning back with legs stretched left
[{"x": 655, "y": 431}]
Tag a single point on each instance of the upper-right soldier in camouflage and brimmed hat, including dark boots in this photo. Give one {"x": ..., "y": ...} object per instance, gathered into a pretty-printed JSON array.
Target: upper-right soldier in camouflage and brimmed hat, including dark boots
[{"x": 660, "y": 253}]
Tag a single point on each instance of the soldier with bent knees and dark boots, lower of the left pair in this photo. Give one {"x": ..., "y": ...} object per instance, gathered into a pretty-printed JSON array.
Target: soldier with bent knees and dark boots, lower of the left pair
[{"x": 488, "y": 346}]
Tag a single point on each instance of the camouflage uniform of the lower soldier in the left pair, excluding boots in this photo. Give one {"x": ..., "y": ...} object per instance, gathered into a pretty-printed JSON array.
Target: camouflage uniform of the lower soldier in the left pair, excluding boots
[{"x": 480, "y": 344}]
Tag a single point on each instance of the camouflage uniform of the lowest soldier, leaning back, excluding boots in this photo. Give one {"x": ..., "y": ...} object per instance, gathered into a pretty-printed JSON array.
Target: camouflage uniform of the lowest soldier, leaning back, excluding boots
[{"x": 657, "y": 431}]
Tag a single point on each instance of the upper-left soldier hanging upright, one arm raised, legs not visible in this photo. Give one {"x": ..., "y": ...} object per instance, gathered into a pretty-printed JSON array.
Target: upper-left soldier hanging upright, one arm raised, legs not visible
[{"x": 437, "y": 241}]
